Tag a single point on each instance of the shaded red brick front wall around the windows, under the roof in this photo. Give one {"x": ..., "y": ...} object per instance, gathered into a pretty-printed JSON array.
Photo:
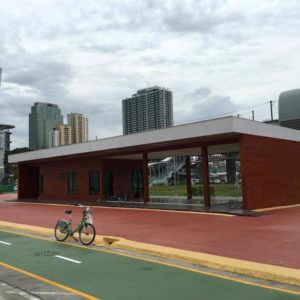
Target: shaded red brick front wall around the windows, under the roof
[{"x": 56, "y": 182}]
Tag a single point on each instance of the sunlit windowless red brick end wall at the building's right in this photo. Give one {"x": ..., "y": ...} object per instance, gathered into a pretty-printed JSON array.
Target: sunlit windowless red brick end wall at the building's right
[{"x": 270, "y": 171}]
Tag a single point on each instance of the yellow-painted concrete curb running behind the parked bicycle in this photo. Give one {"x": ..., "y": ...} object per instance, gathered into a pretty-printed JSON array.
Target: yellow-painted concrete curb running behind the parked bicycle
[{"x": 263, "y": 271}]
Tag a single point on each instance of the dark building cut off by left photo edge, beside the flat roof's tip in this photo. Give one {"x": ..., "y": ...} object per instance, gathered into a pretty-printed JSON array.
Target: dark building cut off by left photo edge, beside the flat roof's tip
[{"x": 4, "y": 150}]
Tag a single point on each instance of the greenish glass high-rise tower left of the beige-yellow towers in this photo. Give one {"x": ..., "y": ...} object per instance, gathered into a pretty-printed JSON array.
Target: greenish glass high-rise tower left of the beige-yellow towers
[{"x": 42, "y": 119}]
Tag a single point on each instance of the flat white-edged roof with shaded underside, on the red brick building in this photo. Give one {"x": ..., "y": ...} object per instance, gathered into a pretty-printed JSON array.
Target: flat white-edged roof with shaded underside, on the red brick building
[{"x": 182, "y": 139}]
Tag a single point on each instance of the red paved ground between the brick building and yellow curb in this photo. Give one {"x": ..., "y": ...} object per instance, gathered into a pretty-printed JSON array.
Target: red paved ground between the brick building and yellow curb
[{"x": 272, "y": 239}]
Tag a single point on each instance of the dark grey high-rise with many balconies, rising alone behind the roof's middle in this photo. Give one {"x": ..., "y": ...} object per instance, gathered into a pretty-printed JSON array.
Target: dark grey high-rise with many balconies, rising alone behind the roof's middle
[{"x": 148, "y": 109}]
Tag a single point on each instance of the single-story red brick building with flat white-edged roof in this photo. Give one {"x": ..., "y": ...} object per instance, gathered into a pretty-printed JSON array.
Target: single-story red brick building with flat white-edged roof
[{"x": 269, "y": 161}]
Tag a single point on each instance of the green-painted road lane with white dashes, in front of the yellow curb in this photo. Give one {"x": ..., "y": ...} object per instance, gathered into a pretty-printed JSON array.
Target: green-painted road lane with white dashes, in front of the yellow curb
[{"x": 111, "y": 276}]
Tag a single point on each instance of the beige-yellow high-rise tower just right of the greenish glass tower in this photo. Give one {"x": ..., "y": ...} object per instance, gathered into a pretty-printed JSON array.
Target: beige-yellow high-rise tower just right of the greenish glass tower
[{"x": 79, "y": 128}]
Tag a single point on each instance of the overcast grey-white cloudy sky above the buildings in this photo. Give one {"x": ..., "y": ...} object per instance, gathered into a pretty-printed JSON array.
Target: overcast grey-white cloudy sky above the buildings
[{"x": 218, "y": 57}]
